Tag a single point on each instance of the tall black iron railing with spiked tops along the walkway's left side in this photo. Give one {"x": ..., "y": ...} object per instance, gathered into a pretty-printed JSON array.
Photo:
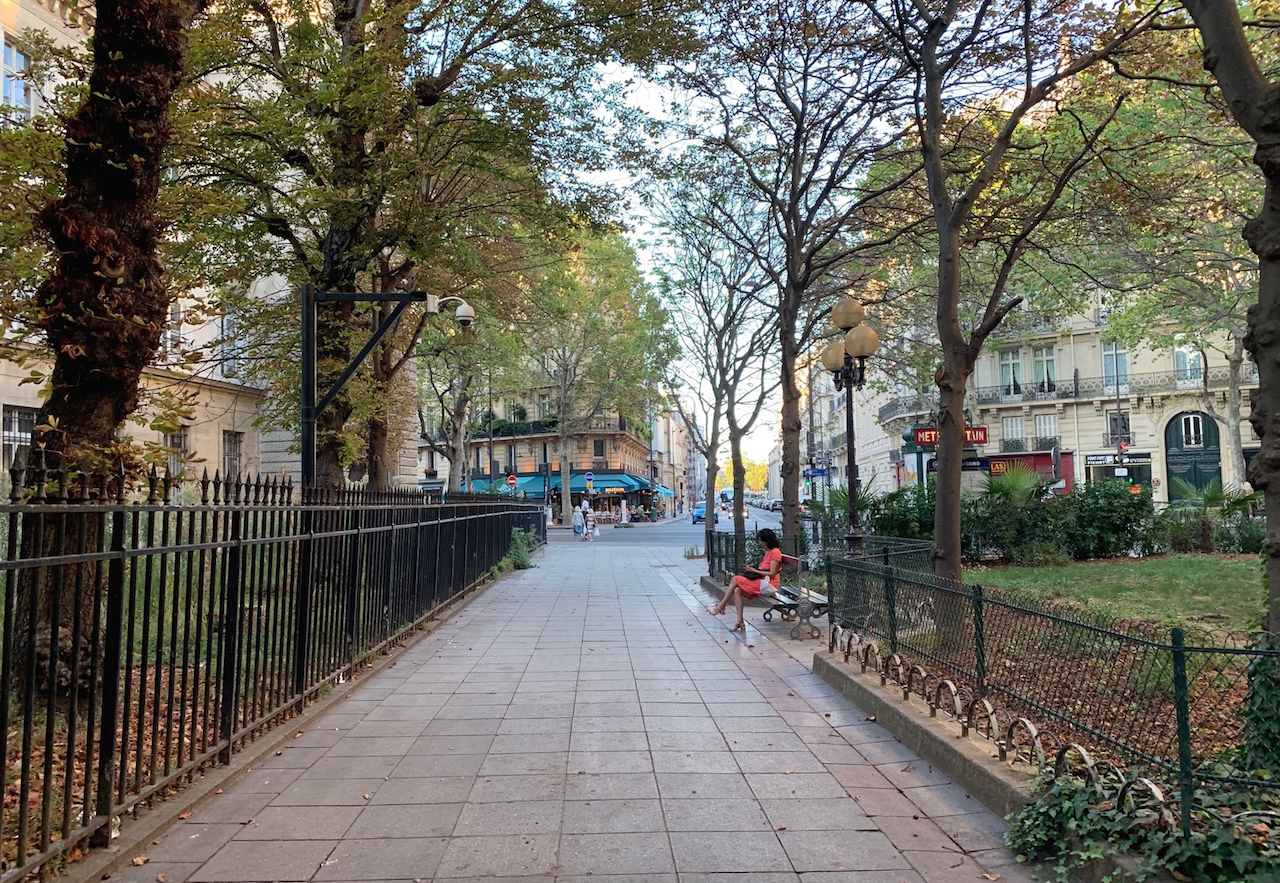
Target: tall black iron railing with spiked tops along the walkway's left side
[{"x": 145, "y": 639}]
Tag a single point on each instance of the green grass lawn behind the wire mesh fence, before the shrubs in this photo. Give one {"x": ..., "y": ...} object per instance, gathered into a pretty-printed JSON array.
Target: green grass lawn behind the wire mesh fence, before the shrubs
[{"x": 1220, "y": 592}]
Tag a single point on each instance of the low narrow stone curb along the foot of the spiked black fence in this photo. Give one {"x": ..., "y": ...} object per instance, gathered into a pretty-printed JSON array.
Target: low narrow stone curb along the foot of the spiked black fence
[{"x": 154, "y": 822}]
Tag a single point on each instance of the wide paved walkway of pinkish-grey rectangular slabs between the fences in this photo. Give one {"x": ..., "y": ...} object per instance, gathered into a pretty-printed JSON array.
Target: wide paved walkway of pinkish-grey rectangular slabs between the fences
[{"x": 588, "y": 721}]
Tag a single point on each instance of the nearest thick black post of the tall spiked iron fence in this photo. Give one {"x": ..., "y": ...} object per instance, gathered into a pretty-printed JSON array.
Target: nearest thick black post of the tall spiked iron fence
[{"x": 112, "y": 648}]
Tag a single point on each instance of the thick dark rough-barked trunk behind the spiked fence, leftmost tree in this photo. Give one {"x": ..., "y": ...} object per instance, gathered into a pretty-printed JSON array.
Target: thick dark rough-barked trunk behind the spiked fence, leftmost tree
[{"x": 107, "y": 301}]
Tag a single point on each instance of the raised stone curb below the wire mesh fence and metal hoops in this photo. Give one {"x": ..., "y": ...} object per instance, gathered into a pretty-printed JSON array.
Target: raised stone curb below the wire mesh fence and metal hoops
[{"x": 1000, "y": 788}]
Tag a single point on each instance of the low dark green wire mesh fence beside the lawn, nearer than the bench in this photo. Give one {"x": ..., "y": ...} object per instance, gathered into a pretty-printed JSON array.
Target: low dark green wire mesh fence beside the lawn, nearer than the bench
[{"x": 1037, "y": 679}]
